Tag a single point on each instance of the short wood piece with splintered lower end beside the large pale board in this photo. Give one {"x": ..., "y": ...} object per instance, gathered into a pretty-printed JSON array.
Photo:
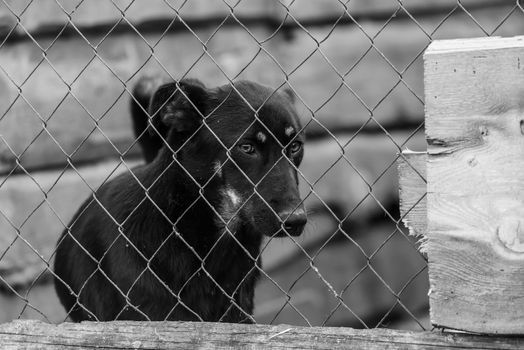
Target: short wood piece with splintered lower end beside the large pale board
[{"x": 412, "y": 191}]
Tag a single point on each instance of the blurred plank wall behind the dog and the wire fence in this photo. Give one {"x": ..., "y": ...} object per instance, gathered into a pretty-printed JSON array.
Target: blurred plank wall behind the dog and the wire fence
[{"x": 66, "y": 72}]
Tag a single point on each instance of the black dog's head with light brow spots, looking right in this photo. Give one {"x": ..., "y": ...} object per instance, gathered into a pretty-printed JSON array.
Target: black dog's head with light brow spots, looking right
[{"x": 242, "y": 144}]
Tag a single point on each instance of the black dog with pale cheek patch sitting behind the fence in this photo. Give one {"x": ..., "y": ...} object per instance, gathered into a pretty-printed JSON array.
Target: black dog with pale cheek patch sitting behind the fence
[{"x": 179, "y": 238}]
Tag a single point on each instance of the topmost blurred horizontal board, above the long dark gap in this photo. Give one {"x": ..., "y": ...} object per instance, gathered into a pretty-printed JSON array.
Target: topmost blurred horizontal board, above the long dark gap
[{"x": 46, "y": 19}]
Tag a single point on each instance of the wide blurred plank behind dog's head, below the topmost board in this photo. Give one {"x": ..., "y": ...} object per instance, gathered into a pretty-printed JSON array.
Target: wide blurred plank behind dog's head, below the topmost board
[{"x": 101, "y": 91}]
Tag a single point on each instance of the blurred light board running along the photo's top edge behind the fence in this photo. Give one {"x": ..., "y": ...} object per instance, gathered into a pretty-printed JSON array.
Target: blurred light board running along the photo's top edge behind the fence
[{"x": 43, "y": 15}]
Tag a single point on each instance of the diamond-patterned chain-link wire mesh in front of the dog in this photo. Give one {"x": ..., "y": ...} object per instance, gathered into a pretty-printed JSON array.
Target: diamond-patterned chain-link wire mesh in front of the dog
[{"x": 289, "y": 19}]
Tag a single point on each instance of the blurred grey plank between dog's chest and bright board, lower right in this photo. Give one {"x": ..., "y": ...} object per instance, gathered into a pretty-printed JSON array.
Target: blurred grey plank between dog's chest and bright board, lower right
[{"x": 298, "y": 294}]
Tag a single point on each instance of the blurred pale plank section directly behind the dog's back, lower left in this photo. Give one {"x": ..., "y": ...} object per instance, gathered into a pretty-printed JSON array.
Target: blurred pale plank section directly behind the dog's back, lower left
[{"x": 34, "y": 211}]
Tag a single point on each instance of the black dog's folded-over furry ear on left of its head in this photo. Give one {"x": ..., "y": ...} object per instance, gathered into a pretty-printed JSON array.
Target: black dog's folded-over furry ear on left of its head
[{"x": 179, "y": 106}]
